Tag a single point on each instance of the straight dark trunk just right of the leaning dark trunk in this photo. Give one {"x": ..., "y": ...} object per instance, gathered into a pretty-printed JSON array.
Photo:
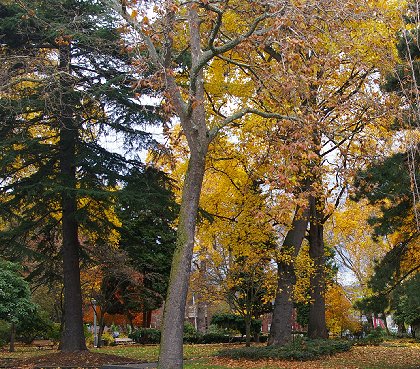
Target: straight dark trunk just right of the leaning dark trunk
[{"x": 317, "y": 327}]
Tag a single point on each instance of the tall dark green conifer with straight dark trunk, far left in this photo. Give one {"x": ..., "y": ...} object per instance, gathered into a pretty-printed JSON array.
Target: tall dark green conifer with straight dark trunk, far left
[{"x": 66, "y": 84}]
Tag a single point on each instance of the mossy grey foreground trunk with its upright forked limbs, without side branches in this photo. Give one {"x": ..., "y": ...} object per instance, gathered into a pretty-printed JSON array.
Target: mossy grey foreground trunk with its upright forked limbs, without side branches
[{"x": 193, "y": 122}]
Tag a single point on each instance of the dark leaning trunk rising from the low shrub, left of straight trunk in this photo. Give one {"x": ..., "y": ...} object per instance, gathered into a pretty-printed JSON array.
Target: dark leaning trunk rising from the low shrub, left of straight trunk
[{"x": 281, "y": 326}]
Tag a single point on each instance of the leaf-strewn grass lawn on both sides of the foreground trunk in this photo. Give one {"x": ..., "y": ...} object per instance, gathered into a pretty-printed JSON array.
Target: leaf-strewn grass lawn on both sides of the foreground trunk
[{"x": 392, "y": 354}]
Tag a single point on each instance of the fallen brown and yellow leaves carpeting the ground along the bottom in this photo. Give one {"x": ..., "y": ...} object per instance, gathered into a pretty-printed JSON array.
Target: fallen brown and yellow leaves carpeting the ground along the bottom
[{"x": 390, "y": 355}]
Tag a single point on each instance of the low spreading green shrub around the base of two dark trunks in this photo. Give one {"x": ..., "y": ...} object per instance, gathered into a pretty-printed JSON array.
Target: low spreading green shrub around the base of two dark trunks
[{"x": 301, "y": 349}]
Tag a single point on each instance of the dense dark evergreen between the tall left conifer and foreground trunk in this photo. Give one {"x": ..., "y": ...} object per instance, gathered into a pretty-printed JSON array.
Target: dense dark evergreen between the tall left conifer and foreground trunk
[{"x": 148, "y": 211}]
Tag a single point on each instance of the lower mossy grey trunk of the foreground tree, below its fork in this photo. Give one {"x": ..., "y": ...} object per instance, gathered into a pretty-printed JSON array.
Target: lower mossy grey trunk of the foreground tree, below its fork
[{"x": 171, "y": 350}]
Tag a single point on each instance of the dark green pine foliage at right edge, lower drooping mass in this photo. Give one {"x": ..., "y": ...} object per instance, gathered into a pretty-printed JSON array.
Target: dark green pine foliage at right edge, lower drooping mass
[{"x": 388, "y": 184}]
